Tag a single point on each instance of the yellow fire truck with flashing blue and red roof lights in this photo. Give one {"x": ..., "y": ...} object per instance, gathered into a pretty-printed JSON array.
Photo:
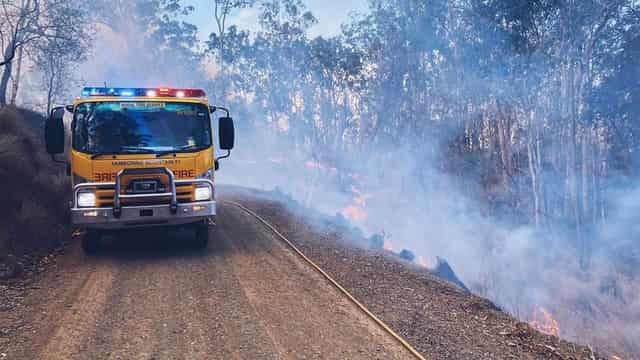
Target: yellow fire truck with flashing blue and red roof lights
[{"x": 140, "y": 157}]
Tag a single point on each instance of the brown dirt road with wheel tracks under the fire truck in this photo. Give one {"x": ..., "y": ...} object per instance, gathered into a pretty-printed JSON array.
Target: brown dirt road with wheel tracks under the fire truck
[{"x": 149, "y": 297}]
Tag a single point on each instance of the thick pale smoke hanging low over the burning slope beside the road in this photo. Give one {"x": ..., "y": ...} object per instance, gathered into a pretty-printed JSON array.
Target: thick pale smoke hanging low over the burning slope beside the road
[{"x": 431, "y": 214}]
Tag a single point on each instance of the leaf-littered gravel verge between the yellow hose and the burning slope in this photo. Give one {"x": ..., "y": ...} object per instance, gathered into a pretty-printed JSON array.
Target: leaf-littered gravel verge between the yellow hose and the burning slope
[{"x": 442, "y": 320}]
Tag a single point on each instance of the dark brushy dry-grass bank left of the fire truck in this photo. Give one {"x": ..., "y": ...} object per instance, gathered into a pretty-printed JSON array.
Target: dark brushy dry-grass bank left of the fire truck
[{"x": 35, "y": 194}]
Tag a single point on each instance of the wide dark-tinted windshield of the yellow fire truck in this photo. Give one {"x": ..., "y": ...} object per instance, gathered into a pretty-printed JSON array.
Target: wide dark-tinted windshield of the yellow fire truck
[{"x": 122, "y": 127}]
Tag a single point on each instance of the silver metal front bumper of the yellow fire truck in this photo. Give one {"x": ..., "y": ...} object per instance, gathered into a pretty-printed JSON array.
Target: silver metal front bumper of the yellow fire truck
[{"x": 143, "y": 216}]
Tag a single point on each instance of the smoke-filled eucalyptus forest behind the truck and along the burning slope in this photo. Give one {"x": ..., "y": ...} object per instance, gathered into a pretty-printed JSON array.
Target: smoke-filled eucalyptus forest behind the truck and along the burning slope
[{"x": 501, "y": 135}]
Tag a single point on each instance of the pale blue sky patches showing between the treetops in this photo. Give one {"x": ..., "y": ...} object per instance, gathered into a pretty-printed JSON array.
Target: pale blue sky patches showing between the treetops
[{"x": 330, "y": 14}]
